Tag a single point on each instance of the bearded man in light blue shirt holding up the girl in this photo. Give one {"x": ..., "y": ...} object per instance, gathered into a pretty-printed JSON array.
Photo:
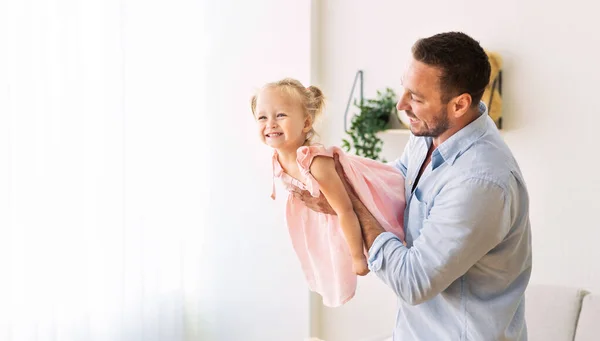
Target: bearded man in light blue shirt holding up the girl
[{"x": 467, "y": 260}]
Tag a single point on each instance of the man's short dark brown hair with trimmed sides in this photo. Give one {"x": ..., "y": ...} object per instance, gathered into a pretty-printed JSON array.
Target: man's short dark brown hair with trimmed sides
[{"x": 463, "y": 62}]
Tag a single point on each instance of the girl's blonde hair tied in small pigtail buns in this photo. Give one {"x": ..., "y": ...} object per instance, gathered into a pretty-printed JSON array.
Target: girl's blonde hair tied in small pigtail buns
[{"x": 312, "y": 99}]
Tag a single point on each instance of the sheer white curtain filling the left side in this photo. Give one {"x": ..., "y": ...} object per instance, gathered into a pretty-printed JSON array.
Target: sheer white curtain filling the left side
[{"x": 102, "y": 182}]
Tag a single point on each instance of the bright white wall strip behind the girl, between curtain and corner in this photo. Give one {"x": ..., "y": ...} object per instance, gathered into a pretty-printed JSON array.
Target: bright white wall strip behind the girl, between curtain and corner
[{"x": 255, "y": 288}]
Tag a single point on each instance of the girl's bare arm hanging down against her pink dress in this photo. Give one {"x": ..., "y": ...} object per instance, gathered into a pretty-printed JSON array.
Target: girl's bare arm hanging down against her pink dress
[{"x": 332, "y": 187}]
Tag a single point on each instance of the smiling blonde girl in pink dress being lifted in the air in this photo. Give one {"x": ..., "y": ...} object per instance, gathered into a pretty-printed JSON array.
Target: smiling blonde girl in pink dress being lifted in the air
[{"x": 330, "y": 247}]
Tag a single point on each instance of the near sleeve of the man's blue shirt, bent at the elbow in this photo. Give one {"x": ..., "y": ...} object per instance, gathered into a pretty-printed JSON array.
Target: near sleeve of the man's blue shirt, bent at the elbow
[{"x": 465, "y": 222}]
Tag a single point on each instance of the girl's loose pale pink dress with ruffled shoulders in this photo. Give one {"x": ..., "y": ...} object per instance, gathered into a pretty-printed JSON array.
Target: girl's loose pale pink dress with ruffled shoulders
[{"x": 318, "y": 239}]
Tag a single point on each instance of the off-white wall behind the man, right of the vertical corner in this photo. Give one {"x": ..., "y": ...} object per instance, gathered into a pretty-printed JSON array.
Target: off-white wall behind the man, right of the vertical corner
[{"x": 550, "y": 84}]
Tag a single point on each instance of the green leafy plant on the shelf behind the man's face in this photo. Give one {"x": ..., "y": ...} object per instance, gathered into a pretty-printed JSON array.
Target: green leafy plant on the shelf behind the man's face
[{"x": 374, "y": 117}]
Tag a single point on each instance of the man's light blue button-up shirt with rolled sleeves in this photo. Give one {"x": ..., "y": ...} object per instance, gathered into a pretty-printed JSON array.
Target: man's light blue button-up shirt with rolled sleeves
[{"x": 463, "y": 273}]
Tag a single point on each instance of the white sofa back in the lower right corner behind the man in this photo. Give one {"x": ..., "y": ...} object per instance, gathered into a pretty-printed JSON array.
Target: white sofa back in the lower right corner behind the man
[{"x": 555, "y": 313}]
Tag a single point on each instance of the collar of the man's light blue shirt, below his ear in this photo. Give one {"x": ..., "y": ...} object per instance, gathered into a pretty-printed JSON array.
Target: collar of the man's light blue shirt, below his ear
[{"x": 450, "y": 149}]
